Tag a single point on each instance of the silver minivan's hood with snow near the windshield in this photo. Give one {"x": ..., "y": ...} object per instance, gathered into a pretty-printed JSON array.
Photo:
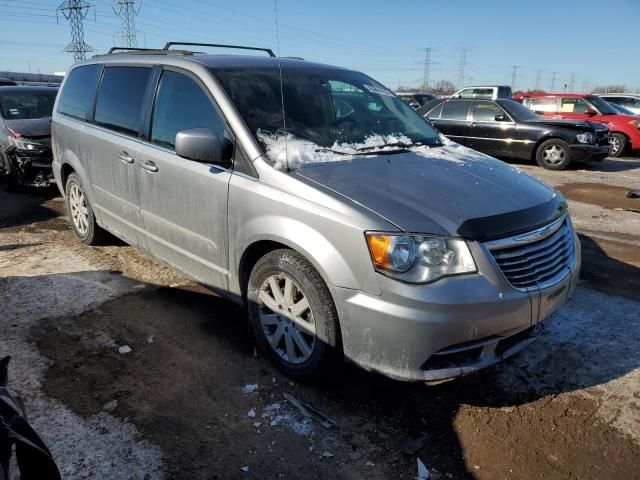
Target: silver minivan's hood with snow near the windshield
[{"x": 434, "y": 190}]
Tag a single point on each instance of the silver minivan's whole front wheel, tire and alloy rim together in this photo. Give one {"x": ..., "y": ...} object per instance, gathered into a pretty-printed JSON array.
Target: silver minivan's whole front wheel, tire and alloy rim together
[{"x": 281, "y": 331}]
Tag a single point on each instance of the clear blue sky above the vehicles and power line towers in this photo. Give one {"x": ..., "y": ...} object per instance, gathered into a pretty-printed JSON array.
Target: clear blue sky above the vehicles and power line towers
[{"x": 596, "y": 41}]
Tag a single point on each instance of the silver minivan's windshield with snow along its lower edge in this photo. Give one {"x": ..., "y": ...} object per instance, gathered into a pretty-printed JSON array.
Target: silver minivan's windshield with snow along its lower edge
[{"x": 332, "y": 108}]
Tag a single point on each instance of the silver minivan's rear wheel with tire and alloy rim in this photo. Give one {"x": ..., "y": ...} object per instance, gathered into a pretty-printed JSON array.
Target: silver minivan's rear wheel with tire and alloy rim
[{"x": 81, "y": 216}]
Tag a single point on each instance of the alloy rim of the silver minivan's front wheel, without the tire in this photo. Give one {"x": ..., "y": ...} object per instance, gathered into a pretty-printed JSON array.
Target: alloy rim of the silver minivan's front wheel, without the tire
[{"x": 287, "y": 319}]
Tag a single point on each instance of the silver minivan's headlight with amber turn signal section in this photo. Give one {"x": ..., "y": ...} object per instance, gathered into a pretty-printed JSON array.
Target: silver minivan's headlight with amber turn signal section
[{"x": 419, "y": 258}]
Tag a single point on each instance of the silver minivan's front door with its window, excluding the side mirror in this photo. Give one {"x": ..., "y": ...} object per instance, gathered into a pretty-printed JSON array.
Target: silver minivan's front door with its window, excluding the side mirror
[{"x": 183, "y": 202}]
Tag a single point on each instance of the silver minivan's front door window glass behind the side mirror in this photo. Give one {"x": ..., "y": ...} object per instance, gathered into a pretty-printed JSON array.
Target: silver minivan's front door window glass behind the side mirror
[{"x": 181, "y": 104}]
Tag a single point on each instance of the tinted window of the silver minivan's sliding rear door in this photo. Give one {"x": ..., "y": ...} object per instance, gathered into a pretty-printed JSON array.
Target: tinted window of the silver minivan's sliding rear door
[{"x": 121, "y": 98}]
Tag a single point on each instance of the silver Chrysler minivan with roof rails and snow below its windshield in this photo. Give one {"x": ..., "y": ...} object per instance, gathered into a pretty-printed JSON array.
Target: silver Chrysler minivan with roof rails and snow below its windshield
[{"x": 347, "y": 226}]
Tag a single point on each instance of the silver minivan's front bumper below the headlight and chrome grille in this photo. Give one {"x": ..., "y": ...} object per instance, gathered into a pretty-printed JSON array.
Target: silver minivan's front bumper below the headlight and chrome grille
[{"x": 452, "y": 327}]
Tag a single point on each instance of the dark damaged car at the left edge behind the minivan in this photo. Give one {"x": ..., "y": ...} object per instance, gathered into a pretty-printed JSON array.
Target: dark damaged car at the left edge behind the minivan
[{"x": 25, "y": 135}]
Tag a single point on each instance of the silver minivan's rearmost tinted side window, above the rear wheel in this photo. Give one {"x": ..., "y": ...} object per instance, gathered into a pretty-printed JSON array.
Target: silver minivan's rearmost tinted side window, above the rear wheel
[{"x": 76, "y": 98}]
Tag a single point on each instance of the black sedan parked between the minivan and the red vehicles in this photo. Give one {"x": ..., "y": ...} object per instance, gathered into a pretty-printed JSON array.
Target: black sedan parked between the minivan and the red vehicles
[{"x": 505, "y": 128}]
